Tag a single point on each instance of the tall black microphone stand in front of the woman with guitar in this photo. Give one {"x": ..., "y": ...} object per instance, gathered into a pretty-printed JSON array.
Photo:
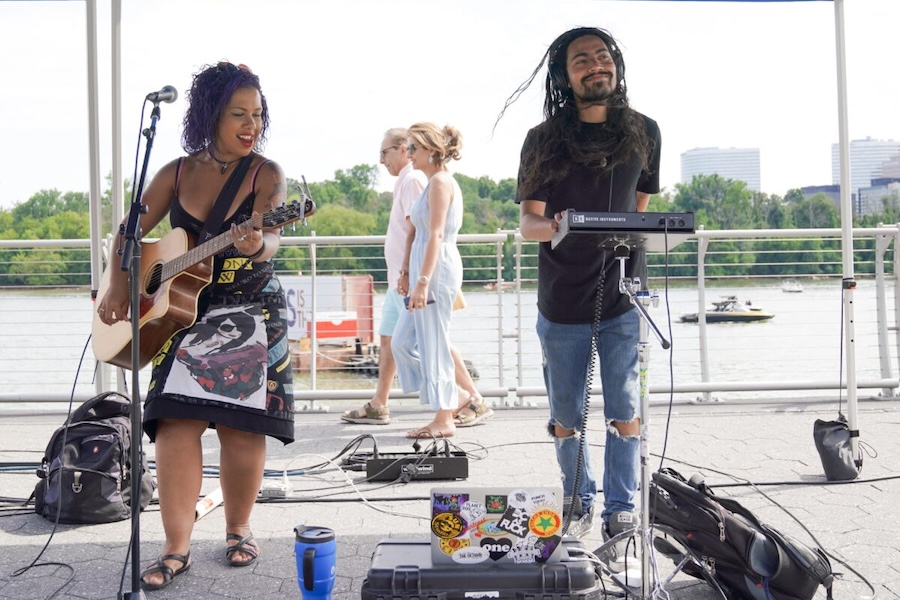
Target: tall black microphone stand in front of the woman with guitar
[{"x": 131, "y": 262}]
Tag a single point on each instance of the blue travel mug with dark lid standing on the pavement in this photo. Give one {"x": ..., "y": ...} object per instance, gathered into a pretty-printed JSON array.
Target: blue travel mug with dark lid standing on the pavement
[{"x": 316, "y": 551}]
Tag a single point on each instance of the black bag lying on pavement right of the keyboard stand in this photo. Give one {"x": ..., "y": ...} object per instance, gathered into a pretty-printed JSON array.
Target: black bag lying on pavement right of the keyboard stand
[{"x": 731, "y": 549}]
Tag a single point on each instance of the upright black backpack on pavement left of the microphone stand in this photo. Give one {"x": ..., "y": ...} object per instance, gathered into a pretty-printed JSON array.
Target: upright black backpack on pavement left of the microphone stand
[{"x": 89, "y": 479}]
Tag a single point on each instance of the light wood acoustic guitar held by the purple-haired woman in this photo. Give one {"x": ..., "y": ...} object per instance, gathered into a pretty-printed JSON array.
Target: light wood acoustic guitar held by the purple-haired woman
[{"x": 173, "y": 273}]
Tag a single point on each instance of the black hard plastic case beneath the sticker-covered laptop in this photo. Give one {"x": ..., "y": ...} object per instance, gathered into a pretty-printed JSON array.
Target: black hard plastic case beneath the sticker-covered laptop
[{"x": 402, "y": 569}]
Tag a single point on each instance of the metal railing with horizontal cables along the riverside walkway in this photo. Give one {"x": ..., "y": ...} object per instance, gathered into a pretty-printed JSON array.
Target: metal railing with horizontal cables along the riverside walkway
[{"x": 801, "y": 351}]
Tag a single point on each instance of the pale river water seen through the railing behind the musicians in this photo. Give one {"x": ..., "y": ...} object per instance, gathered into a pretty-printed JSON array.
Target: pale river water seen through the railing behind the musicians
[{"x": 44, "y": 334}]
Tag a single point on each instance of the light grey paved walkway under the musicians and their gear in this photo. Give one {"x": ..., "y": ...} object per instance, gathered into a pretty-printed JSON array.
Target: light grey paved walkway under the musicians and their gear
[{"x": 767, "y": 443}]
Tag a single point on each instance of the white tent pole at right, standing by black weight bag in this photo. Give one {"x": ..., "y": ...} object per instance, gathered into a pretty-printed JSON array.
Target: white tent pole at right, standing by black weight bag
[{"x": 849, "y": 281}]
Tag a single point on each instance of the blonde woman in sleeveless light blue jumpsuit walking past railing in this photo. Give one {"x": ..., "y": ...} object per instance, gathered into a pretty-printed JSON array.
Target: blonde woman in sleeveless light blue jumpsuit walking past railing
[{"x": 421, "y": 341}]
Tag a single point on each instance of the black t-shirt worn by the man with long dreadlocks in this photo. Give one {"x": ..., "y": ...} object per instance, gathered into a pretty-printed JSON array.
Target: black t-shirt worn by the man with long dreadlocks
[{"x": 568, "y": 276}]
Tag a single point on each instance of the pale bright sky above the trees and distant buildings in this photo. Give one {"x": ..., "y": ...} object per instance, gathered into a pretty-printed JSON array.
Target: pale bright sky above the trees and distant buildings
[{"x": 339, "y": 73}]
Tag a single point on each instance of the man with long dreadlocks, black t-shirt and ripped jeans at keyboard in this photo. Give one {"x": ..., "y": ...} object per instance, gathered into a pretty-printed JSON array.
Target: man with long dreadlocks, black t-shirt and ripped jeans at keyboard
[{"x": 592, "y": 153}]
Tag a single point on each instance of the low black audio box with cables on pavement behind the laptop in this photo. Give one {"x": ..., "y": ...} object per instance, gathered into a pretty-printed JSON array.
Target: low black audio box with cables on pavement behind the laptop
[{"x": 406, "y": 466}]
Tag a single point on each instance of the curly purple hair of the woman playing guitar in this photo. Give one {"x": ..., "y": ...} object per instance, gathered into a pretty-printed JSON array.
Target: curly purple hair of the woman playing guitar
[{"x": 210, "y": 92}]
